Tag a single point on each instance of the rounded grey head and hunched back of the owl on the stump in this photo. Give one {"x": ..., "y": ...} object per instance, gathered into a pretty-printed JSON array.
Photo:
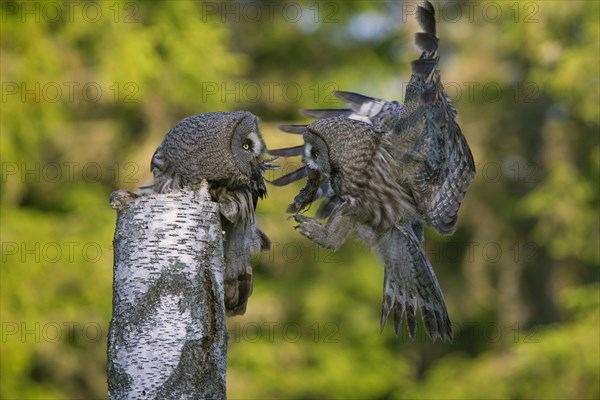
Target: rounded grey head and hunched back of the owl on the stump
[{"x": 225, "y": 148}]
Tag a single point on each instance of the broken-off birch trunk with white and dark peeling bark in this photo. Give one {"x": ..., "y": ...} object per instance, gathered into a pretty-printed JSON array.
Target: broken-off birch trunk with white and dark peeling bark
[{"x": 167, "y": 338}]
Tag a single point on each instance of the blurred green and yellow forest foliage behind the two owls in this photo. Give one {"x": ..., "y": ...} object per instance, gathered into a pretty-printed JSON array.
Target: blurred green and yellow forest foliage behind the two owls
[{"x": 89, "y": 90}]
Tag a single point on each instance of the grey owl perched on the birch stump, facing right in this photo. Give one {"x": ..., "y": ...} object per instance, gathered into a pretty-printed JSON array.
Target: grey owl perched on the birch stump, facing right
[{"x": 226, "y": 149}]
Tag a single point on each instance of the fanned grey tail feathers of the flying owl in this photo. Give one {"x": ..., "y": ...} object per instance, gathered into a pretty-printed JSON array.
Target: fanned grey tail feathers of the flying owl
[{"x": 410, "y": 284}]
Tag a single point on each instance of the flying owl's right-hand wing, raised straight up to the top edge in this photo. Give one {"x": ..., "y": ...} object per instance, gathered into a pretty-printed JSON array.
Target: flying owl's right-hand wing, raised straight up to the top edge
[{"x": 428, "y": 139}]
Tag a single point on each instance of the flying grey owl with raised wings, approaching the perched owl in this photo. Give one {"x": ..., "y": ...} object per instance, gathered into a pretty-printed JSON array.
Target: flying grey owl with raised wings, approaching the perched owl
[{"x": 384, "y": 170}]
